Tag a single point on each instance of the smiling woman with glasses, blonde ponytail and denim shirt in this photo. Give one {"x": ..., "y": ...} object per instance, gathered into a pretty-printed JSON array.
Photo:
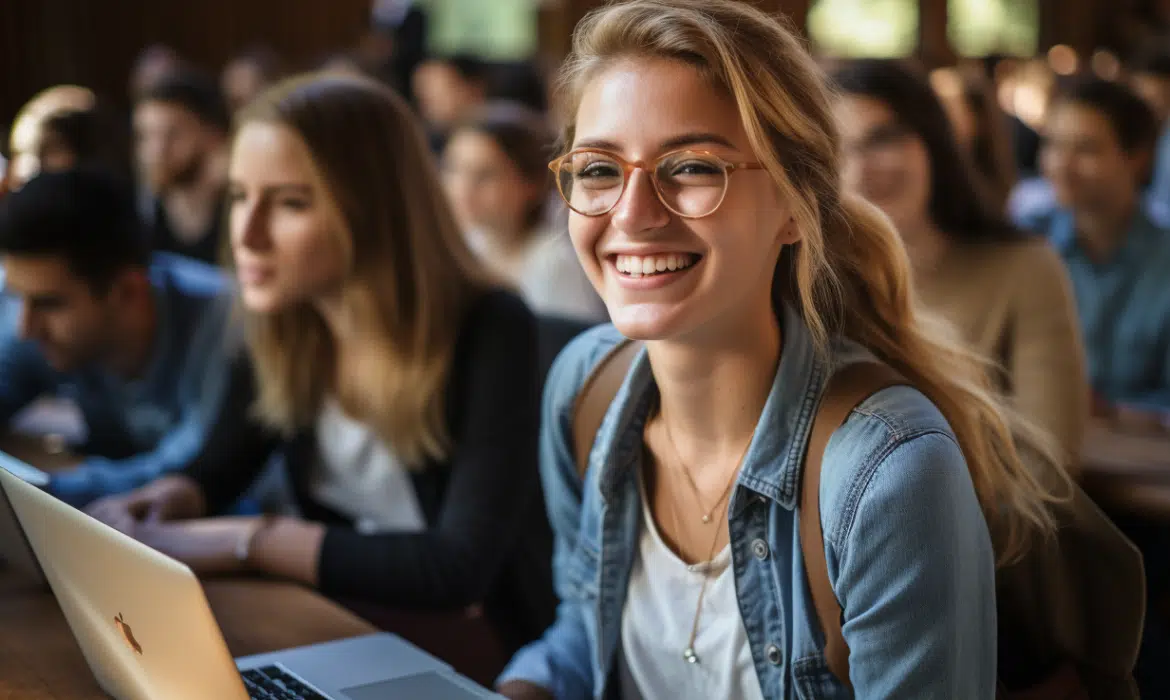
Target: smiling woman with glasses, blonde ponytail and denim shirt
[{"x": 703, "y": 168}]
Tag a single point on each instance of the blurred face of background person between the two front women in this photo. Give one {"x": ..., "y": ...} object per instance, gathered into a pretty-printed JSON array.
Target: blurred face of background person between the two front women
[{"x": 486, "y": 189}]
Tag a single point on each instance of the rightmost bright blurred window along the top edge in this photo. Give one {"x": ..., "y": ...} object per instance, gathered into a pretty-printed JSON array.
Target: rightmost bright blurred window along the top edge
[{"x": 983, "y": 28}]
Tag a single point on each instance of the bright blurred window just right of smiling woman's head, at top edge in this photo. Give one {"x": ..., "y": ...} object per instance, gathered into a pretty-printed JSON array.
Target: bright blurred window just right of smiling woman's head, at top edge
[{"x": 865, "y": 29}]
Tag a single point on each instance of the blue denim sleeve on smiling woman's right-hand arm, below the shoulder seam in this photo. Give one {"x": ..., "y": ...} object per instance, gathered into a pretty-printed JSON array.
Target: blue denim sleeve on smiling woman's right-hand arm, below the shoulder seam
[{"x": 917, "y": 579}]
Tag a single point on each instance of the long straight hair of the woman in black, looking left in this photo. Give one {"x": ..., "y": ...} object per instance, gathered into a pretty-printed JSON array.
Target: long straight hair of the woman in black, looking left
[{"x": 410, "y": 276}]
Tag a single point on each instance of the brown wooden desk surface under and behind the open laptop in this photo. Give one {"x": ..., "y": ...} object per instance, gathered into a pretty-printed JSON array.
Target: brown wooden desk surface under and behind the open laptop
[{"x": 40, "y": 661}]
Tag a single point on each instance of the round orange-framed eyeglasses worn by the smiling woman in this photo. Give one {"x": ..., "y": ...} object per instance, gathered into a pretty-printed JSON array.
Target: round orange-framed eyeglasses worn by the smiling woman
[{"x": 692, "y": 184}]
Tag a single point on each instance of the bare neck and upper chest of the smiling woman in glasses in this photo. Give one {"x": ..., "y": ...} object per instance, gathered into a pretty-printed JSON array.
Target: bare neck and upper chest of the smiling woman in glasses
[{"x": 714, "y": 393}]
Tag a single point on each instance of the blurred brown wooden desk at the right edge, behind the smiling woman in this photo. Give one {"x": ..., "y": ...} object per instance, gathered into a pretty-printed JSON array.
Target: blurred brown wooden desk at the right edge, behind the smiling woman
[{"x": 1126, "y": 472}]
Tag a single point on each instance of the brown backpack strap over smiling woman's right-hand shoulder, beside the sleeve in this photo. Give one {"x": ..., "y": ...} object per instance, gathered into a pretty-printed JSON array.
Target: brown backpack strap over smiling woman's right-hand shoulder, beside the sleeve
[{"x": 844, "y": 393}]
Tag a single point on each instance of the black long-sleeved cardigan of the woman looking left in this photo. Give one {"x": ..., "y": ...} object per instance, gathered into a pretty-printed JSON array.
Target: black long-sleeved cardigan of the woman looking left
[{"x": 487, "y": 538}]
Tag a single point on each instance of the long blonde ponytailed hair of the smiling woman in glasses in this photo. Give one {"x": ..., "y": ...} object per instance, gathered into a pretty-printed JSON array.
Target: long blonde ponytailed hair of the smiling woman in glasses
[{"x": 850, "y": 274}]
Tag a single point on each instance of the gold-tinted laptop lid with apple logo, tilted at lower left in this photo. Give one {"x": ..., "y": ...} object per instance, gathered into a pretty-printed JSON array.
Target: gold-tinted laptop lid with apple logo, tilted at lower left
[{"x": 140, "y": 617}]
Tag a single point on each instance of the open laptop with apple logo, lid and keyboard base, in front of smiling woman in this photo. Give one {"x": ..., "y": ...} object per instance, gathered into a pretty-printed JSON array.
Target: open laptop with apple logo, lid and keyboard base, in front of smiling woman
[{"x": 147, "y": 632}]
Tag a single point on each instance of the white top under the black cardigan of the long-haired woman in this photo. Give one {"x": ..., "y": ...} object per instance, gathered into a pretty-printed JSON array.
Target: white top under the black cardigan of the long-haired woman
[{"x": 359, "y": 477}]
